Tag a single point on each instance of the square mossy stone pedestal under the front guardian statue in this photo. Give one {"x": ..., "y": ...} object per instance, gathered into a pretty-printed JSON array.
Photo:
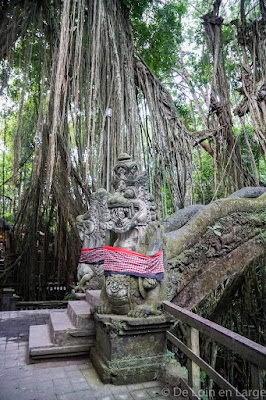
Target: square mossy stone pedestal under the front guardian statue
[{"x": 130, "y": 350}]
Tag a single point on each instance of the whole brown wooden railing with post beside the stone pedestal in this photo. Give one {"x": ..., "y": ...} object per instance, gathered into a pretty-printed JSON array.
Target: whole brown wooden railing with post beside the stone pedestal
[{"x": 251, "y": 351}]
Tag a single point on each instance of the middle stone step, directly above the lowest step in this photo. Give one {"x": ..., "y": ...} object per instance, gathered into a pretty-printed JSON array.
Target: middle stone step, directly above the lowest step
[{"x": 64, "y": 332}]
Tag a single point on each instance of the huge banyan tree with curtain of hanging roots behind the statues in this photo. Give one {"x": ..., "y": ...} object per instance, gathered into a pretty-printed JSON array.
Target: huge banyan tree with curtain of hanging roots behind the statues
[{"x": 76, "y": 59}]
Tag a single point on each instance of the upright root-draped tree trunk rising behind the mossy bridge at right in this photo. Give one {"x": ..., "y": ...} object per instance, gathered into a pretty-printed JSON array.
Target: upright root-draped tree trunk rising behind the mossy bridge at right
[{"x": 233, "y": 172}]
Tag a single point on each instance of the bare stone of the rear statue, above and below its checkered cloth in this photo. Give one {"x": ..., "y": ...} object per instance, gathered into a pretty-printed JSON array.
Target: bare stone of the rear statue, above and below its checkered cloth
[{"x": 92, "y": 228}]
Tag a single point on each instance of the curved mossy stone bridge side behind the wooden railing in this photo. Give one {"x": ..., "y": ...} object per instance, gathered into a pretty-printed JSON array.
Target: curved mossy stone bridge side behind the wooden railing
[{"x": 213, "y": 245}]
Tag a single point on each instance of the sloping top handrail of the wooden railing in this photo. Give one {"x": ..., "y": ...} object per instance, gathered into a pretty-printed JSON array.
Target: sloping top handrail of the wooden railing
[{"x": 252, "y": 351}]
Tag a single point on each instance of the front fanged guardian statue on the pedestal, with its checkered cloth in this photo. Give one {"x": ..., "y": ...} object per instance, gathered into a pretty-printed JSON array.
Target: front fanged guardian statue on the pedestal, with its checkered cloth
[{"x": 134, "y": 227}]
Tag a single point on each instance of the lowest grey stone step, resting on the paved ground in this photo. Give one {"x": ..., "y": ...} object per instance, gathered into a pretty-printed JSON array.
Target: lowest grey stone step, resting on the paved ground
[{"x": 41, "y": 346}]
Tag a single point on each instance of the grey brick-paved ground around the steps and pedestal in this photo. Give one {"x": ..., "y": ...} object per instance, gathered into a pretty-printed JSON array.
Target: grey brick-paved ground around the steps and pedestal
[{"x": 73, "y": 379}]
